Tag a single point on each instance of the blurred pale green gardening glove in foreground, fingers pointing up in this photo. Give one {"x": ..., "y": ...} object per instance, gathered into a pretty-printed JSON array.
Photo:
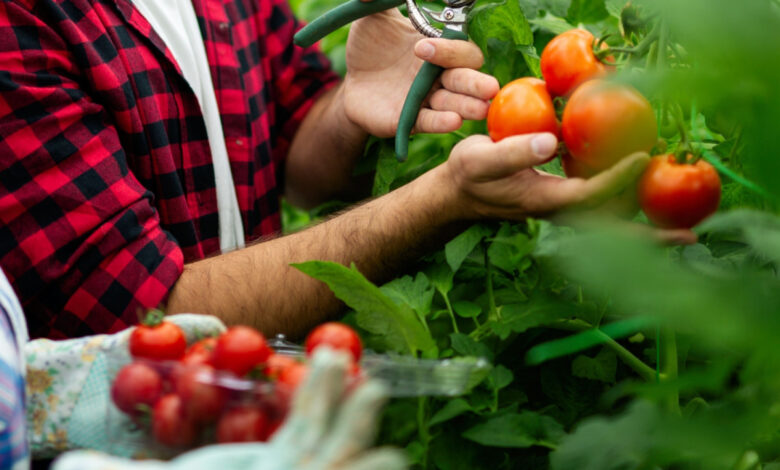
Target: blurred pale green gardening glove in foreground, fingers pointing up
[{"x": 324, "y": 431}]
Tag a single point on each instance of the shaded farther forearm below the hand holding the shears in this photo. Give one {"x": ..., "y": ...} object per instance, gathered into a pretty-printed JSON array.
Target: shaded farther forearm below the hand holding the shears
[{"x": 323, "y": 154}]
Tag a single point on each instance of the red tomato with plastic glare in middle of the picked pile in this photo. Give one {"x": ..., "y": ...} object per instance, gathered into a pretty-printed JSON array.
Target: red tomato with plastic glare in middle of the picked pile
[{"x": 203, "y": 400}]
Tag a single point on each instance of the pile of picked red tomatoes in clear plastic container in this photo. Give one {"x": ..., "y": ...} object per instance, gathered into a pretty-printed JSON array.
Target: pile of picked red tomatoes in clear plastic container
[{"x": 229, "y": 388}]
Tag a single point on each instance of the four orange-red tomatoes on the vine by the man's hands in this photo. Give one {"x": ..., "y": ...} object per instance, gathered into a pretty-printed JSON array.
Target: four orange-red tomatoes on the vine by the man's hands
[{"x": 601, "y": 123}]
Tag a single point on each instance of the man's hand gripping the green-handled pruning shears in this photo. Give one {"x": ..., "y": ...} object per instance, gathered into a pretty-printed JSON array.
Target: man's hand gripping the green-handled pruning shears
[{"x": 384, "y": 53}]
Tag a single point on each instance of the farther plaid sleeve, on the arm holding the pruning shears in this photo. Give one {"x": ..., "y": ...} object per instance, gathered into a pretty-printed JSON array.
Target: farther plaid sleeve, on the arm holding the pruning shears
[{"x": 300, "y": 75}]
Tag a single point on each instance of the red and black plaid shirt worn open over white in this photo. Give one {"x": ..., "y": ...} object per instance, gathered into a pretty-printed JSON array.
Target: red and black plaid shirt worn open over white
[{"x": 106, "y": 181}]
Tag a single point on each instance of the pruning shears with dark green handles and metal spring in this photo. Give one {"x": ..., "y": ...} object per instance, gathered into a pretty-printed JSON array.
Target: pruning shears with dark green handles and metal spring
[{"x": 453, "y": 17}]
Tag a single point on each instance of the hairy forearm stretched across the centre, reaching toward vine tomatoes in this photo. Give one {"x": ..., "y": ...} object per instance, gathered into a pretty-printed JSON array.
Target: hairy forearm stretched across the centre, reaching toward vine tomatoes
[{"x": 257, "y": 285}]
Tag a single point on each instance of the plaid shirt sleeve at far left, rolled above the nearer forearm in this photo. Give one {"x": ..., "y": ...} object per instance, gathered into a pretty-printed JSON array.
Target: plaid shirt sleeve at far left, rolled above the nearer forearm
[{"x": 79, "y": 237}]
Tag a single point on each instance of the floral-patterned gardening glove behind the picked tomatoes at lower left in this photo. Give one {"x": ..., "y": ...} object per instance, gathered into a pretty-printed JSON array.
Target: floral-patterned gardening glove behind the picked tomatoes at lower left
[{"x": 68, "y": 385}]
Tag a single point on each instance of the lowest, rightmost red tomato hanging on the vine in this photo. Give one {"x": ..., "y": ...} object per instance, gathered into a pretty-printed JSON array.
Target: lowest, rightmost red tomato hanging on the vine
[{"x": 675, "y": 195}]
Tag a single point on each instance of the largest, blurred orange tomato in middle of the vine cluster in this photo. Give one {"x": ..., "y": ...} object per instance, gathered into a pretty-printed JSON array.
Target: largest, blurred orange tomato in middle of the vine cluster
[{"x": 602, "y": 123}]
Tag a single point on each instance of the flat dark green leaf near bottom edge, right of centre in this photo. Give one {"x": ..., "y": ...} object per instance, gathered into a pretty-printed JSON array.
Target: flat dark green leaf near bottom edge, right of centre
[{"x": 517, "y": 430}]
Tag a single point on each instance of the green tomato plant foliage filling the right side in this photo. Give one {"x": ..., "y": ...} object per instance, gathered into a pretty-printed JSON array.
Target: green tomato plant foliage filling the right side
[{"x": 609, "y": 352}]
